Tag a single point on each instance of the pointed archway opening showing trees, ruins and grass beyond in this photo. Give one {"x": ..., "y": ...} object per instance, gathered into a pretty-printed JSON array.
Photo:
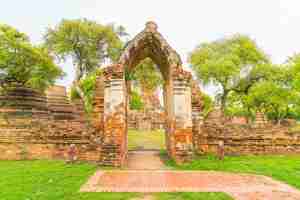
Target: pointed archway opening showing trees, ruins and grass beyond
[{"x": 146, "y": 117}]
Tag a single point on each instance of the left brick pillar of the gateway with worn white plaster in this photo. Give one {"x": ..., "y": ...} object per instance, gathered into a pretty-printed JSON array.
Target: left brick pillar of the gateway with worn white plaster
[{"x": 114, "y": 146}]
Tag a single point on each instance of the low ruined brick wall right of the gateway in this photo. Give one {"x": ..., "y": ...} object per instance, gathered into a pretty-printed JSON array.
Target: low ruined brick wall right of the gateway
[{"x": 247, "y": 139}]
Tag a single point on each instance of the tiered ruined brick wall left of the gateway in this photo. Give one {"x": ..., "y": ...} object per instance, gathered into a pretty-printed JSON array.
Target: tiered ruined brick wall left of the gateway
[{"x": 33, "y": 128}]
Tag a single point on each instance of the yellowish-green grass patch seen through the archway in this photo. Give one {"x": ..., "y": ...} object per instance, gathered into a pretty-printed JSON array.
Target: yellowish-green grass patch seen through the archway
[{"x": 146, "y": 139}]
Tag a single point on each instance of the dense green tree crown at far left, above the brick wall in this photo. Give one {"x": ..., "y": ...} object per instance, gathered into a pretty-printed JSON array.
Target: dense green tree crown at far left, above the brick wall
[{"x": 23, "y": 63}]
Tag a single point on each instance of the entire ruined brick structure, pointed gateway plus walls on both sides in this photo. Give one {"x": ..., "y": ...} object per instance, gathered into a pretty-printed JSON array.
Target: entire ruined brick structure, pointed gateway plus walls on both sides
[{"x": 34, "y": 125}]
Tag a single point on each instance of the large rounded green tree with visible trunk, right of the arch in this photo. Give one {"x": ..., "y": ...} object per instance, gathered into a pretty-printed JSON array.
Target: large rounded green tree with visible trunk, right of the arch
[{"x": 232, "y": 63}]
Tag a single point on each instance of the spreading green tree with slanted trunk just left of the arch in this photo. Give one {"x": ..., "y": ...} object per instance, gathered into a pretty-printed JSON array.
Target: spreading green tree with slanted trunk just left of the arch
[{"x": 88, "y": 44}]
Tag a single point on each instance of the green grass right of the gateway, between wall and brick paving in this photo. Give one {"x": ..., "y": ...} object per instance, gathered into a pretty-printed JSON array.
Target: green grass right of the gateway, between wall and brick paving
[{"x": 282, "y": 168}]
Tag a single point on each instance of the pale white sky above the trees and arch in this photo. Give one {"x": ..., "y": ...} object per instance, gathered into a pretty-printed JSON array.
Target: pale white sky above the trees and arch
[{"x": 273, "y": 24}]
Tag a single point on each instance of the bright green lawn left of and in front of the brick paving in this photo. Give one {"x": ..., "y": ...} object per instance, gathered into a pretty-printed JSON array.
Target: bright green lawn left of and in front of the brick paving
[{"x": 55, "y": 180}]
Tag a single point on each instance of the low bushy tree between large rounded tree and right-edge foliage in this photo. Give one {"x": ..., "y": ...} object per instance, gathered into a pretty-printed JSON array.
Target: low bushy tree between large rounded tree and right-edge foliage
[{"x": 272, "y": 79}]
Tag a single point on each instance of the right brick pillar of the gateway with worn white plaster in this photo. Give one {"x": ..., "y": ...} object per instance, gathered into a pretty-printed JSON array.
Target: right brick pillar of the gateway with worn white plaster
[{"x": 180, "y": 132}]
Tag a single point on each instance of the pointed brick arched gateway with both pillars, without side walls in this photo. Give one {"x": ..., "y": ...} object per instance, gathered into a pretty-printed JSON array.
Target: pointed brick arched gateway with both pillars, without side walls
[{"x": 177, "y": 98}]
